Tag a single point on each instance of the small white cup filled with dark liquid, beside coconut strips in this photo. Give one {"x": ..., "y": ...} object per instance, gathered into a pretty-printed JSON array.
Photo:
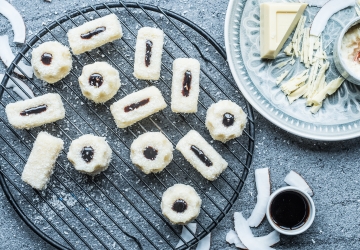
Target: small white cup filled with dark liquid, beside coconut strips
[{"x": 290, "y": 210}]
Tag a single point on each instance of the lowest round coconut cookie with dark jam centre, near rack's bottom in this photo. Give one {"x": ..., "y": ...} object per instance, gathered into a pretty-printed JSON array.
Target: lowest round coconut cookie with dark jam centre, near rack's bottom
[{"x": 180, "y": 204}]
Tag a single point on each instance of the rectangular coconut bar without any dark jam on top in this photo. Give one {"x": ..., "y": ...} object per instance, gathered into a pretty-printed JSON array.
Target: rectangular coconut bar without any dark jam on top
[{"x": 40, "y": 164}]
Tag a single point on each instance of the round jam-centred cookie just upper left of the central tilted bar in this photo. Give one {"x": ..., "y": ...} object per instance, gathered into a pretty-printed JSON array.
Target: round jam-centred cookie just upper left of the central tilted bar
[{"x": 99, "y": 82}]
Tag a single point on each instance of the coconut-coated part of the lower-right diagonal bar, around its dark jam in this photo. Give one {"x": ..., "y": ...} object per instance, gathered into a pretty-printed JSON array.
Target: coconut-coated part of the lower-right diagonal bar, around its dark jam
[{"x": 218, "y": 164}]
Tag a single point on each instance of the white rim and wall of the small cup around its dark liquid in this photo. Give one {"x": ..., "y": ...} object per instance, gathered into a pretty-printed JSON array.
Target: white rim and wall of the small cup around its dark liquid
[{"x": 308, "y": 222}]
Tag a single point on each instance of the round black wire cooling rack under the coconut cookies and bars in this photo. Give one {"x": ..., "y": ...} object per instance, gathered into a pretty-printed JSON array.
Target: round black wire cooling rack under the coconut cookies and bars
[{"x": 122, "y": 205}]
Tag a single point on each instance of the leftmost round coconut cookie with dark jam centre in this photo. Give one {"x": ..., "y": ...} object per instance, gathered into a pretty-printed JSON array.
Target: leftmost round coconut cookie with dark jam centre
[{"x": 51, "y": 61}]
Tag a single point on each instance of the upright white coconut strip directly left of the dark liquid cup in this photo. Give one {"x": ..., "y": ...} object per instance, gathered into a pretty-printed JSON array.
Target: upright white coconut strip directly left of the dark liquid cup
[{"x": 262, "y": 179}]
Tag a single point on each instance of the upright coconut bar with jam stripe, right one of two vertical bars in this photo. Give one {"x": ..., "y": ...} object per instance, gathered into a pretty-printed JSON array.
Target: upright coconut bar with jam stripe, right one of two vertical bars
[{"x": 185, "y": 85}]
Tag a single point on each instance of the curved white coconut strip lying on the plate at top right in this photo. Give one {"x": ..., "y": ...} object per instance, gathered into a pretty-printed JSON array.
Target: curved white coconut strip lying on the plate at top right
[{"x": 323, "y": 16}]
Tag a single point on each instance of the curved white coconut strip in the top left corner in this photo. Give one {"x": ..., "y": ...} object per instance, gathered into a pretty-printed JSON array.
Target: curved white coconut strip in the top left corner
[{"x": 15, "y": 19}]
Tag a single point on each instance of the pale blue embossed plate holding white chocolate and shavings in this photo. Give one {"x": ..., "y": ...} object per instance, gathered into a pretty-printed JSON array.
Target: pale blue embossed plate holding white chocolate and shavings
[{"x": 338, "y": 119}]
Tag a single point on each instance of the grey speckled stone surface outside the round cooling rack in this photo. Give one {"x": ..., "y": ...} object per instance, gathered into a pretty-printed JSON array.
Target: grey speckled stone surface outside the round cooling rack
[{"x": 330, "y": 168}]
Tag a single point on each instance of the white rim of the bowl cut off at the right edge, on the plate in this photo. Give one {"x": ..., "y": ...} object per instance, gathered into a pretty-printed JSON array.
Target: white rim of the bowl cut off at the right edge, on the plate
[{"x": 341, "y": 66}]
